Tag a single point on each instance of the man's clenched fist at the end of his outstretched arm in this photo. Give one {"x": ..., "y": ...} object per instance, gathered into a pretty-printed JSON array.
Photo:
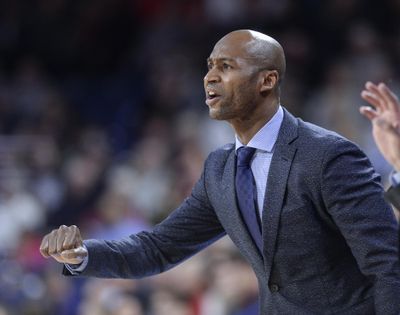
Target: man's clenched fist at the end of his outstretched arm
[{"x": 65, "y": 245}]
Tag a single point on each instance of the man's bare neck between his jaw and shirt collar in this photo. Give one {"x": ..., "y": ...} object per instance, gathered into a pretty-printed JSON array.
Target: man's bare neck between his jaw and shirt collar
[{"x": 246, "y": 128}]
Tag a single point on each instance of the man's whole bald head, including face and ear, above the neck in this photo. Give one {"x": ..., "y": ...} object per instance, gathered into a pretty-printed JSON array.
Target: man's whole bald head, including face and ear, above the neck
[{"x": 242, "y": 82}]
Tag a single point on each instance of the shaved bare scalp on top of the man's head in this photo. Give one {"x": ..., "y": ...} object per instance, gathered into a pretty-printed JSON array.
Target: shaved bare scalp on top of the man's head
[{"x": 264, "y": 51}]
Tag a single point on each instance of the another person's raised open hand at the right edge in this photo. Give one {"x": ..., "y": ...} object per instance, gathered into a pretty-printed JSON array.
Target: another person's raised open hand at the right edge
[{"x": 385, "y": 118}]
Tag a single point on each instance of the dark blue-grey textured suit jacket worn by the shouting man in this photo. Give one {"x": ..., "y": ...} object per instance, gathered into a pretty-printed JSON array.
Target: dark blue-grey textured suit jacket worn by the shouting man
[{"x": 330, "y": 243}]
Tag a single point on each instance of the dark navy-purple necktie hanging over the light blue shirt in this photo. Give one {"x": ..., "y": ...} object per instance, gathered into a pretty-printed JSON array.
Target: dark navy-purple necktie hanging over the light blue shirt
[{"x": 246, "y": 193}]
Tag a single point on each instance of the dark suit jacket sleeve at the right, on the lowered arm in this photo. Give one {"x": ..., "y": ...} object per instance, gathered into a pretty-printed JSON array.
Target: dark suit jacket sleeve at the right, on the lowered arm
[{"x": 354, "y": 198}]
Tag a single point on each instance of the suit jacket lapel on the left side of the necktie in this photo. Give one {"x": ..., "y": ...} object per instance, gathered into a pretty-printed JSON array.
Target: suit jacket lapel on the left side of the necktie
[{"x": 241, "y": 233}]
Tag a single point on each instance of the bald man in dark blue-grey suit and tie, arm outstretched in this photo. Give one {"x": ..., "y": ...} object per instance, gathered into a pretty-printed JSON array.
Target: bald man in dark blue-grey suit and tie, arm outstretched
[{"x": 302, "y": 204}]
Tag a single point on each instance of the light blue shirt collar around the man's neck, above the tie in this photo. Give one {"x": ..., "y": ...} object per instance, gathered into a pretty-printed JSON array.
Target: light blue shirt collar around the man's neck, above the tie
[{"x": 265, "y": 138}]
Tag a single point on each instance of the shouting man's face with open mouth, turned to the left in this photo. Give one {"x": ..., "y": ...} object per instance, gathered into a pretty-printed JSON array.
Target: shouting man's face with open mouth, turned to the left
[{"x": 231, "y": 81}]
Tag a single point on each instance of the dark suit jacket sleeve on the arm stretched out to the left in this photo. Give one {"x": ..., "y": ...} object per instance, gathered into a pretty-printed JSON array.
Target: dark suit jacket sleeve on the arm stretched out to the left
[{"x": 187, "y": 230}]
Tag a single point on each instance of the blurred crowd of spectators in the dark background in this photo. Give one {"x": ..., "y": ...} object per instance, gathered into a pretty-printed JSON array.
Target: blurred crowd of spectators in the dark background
[{"x": 103, "y": 124}]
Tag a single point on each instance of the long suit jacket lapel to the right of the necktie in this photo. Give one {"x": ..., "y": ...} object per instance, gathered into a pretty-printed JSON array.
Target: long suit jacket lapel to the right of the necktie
[{"x": 277, "y": 180}]
